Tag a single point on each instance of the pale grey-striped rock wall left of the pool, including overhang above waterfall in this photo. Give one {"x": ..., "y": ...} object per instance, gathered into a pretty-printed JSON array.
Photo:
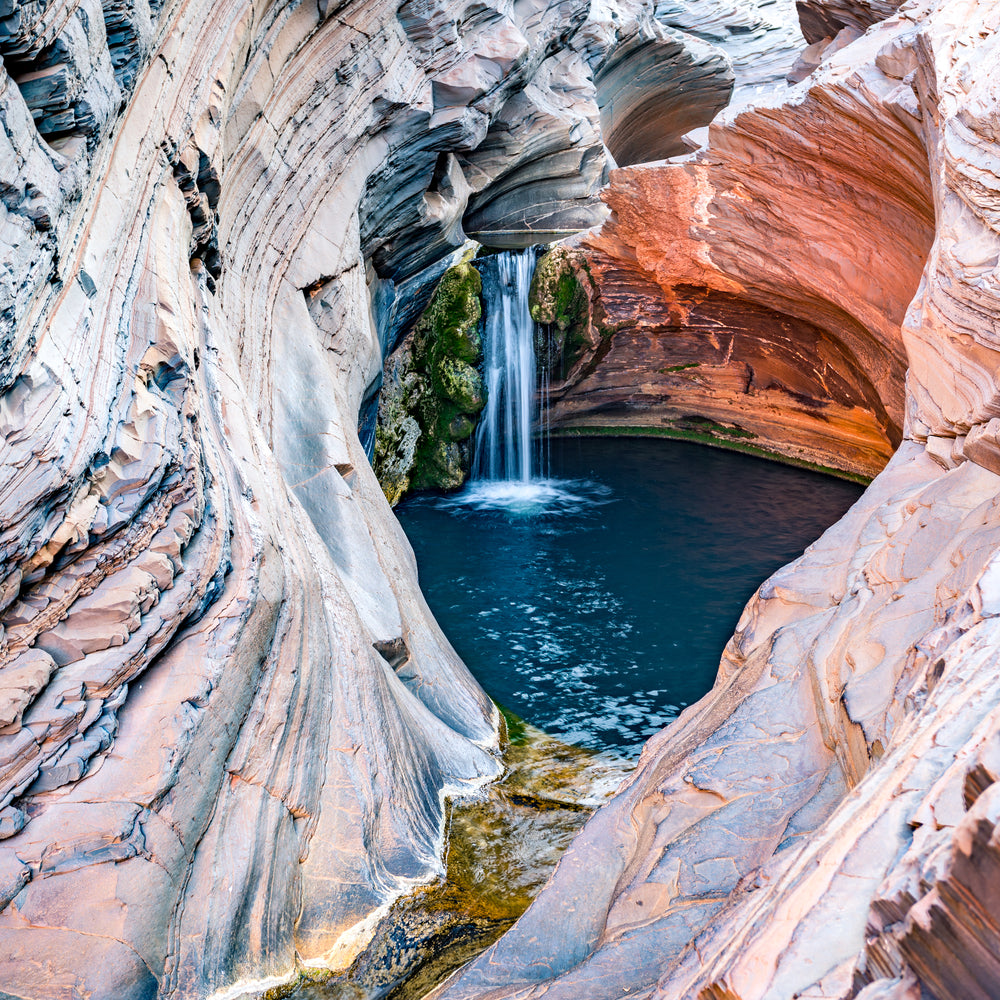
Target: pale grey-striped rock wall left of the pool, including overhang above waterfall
[{"x": 229, "y": 721}]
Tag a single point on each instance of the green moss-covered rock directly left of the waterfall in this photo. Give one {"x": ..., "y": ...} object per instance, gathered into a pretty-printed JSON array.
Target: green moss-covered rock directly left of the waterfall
[{"x": 432, "y": 392}]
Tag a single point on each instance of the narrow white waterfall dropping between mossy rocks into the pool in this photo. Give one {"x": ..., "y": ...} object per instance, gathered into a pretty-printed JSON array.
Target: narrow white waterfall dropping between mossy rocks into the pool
[{"x": 505, "y": 447}]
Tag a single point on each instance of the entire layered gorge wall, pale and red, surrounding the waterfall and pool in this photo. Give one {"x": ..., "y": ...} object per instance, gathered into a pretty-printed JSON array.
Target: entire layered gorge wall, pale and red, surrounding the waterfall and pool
[{"x": 230, "y": 722}]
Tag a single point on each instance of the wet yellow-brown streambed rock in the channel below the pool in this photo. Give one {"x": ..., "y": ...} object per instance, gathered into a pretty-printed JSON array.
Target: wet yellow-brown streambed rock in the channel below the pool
[{"x": 501, "y": 848}]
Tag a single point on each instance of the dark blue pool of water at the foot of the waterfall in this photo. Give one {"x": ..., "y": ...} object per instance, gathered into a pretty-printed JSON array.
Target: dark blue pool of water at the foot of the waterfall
[{"x": 596, "y": 604}]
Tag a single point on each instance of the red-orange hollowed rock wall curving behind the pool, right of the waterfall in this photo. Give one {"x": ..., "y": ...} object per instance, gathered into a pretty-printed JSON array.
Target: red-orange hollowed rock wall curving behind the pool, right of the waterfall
[{"x": 764, "y": 285}]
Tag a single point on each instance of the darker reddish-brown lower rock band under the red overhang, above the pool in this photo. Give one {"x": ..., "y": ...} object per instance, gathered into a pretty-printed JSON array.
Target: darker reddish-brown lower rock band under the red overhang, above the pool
[{"x": 713, "y": 363}]
